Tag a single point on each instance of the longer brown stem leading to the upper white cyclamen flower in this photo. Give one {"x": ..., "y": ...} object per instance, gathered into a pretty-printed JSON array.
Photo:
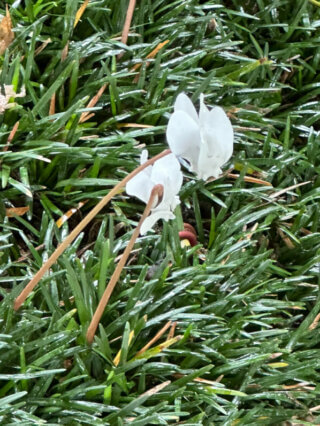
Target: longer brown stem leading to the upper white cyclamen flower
[{"x": 76, "y": 231}]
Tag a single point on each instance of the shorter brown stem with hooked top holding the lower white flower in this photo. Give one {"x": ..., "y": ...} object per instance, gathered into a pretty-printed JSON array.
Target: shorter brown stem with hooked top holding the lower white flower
[{"x": 157, "y": 191}]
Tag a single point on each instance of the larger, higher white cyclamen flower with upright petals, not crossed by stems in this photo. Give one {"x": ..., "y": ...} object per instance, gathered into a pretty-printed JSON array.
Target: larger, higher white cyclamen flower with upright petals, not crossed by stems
[{"x": 205, "y": 141}]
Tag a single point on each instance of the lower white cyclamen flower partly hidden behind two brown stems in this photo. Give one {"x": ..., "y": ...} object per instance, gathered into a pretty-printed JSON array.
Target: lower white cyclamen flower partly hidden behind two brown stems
[{"x": 165, "y": 171}]
